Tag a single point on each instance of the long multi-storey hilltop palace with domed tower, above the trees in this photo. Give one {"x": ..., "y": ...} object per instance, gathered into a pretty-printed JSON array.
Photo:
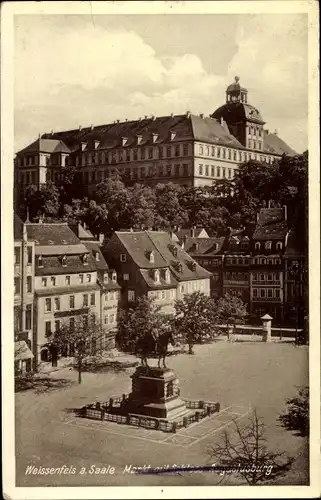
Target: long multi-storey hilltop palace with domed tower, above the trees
[{"x": 191, "y": 150}]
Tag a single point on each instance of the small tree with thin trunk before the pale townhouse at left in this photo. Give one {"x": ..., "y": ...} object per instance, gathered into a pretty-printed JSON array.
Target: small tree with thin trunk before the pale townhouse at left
[{"x": 81, "y": 339}]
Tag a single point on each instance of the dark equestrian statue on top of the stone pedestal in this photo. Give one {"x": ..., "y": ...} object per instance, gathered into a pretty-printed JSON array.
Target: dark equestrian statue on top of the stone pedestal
[{"x": 154, "y": 343}]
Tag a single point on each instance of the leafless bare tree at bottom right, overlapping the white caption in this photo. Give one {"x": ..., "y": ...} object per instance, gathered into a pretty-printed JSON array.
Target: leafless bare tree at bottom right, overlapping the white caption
[{"x": 246, "y": 454}]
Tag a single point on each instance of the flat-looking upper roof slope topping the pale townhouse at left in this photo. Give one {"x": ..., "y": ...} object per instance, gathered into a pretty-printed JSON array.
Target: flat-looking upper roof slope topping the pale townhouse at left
[{"x": 51, "y": 234}]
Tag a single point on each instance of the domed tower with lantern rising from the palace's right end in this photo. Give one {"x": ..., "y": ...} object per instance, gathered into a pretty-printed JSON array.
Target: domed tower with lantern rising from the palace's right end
[{"x": 243, "y": 120}]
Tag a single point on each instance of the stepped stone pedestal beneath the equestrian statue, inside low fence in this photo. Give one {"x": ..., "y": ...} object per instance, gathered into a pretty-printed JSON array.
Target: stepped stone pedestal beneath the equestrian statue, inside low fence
[{"x": 155, "y": 393}]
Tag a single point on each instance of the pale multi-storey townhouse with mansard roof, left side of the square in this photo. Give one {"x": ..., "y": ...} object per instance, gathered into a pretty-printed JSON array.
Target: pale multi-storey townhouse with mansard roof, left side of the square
[{"x": 65, "y": 283}]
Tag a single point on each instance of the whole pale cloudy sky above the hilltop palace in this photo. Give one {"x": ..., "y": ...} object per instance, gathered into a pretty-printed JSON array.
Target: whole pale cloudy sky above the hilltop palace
[{"x": 73, "y": 70}]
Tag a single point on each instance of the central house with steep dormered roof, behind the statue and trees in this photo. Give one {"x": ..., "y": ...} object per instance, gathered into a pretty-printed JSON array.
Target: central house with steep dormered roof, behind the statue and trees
[{"x": 150, "y": 263}]
